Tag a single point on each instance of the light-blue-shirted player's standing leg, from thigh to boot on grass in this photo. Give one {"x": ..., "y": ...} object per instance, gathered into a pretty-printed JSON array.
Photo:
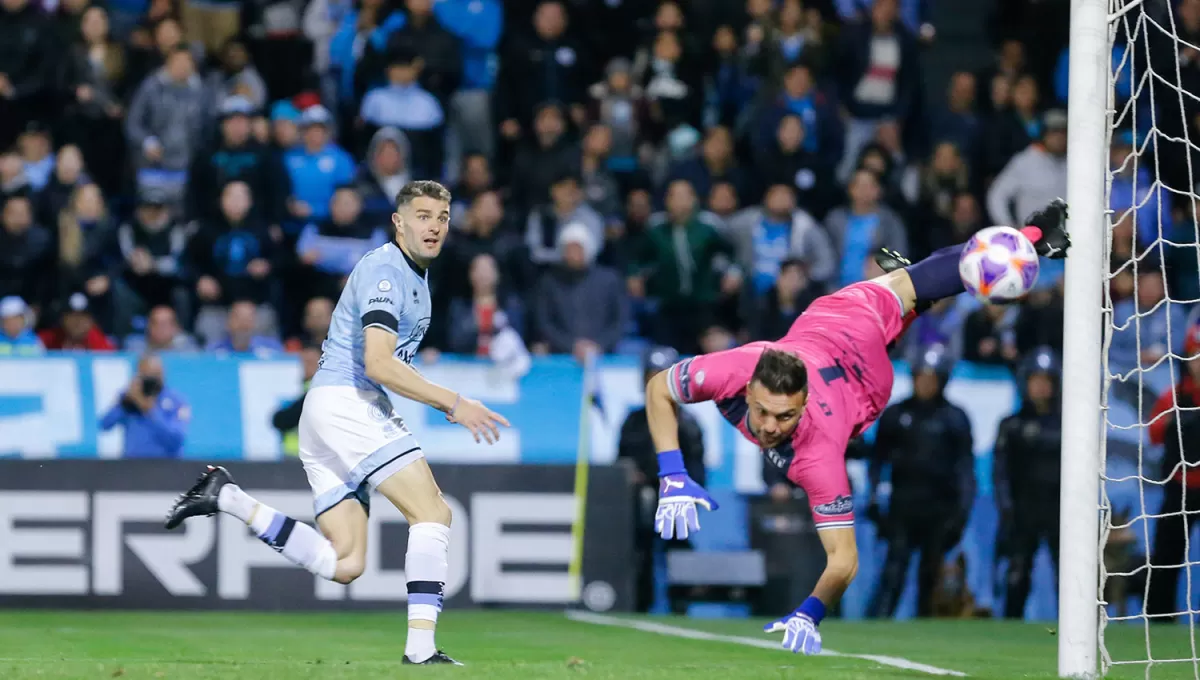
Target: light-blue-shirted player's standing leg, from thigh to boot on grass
[{"x": 415, "y": 492}]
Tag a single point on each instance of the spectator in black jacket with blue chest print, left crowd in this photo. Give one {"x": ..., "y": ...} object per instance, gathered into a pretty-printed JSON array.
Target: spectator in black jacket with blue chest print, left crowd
[{"x": 233, "y": 258}]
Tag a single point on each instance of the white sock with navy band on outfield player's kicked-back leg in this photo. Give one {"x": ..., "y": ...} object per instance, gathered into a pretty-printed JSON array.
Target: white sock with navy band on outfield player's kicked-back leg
[{"x": 297, "y": 541}]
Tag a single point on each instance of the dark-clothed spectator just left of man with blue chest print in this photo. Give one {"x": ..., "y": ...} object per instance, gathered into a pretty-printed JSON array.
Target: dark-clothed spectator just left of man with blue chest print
[{"x": 153, "y": 246}]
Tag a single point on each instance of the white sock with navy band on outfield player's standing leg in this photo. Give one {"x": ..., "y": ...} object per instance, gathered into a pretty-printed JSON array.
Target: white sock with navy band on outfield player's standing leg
[{"x": 427, "y": 569}]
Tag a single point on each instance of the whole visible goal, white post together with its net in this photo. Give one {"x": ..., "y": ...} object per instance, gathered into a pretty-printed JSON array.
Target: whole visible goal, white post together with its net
[{"x": 1133, "y": 113}]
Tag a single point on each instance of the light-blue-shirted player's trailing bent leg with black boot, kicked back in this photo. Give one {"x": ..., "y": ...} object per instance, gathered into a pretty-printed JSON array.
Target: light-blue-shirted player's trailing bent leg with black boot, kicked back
[{"x": 339, "y": 558}]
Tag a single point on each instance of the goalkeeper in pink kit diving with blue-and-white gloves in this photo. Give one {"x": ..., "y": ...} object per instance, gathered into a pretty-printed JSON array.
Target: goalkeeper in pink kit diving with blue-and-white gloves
[{"x": 803, "y": 398}]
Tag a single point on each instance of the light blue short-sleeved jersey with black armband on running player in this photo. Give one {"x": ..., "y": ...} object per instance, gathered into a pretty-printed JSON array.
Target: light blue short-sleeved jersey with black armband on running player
[{"x": 387, "y": 291}]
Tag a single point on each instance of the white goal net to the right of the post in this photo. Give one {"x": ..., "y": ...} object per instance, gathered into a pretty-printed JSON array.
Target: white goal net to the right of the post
[{"x": 1150, "y": 299}]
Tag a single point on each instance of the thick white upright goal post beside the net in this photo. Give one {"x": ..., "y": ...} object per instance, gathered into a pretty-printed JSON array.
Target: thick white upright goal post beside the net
[{"x": 1090, "y": 111}]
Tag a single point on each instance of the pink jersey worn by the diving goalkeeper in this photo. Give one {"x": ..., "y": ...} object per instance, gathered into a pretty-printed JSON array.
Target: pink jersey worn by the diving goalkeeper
[{"x": 843, "y": 340}]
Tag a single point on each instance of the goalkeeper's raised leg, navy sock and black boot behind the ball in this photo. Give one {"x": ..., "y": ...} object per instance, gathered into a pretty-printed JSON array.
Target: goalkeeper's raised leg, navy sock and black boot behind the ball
[{"x": 937, "y": 278}]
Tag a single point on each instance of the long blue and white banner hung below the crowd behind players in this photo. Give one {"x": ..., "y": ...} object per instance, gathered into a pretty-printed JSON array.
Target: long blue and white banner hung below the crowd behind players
[{"x": 51, "y": 408}]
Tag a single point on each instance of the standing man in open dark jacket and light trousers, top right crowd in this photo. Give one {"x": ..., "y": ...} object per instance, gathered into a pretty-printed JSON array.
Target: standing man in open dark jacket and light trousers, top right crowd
[{"x": 878, "y": 76}]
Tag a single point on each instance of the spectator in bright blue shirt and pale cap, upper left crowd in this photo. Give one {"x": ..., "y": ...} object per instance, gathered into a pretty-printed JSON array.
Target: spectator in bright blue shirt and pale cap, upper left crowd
[{"x": 317, "y": 167}]
